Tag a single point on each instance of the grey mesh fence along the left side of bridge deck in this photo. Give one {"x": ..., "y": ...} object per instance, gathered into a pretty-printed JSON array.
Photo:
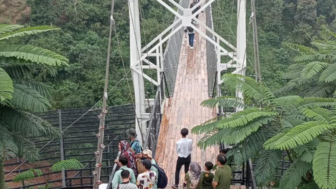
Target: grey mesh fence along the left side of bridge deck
[{"x": 172, "y": 53}]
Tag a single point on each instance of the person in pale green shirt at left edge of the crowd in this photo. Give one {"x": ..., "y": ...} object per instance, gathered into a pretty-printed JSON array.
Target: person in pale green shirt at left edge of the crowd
[{"x": 117, "y": 179}]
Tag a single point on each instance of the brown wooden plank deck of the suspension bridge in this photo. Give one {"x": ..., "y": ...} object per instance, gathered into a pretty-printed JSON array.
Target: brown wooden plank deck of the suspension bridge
[{"x": 184, "y": 109}]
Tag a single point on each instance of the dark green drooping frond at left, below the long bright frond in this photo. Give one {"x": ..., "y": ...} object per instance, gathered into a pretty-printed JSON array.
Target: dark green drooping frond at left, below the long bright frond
[{"x": 29, "y": 99}]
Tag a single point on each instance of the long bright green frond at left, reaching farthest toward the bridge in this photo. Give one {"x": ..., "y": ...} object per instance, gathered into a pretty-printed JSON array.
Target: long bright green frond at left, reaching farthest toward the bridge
[{"x": 33, "y": 54}]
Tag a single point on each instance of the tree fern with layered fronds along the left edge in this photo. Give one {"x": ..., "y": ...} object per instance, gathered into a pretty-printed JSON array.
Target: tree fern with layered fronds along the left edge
[{"x": 20, "y": 94}]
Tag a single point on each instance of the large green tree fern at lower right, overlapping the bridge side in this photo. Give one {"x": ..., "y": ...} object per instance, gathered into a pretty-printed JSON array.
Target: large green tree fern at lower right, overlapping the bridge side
[{"x": 303, "y": 127}]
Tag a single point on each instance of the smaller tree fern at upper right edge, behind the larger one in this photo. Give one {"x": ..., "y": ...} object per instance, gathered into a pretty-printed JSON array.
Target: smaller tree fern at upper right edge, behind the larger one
[{"x": 314, "y": 70}]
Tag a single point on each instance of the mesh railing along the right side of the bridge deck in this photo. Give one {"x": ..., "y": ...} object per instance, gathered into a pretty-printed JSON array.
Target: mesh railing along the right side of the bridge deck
[{"x": 212, "y": 56}]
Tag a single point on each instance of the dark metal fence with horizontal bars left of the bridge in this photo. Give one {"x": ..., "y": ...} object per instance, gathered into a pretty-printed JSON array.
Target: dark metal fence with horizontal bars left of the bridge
[{"x": 79, "y": 142}]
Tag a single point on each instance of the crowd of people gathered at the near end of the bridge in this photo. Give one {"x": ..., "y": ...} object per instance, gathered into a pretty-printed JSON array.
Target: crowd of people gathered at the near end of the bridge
[{"x": 139, "y": 170}]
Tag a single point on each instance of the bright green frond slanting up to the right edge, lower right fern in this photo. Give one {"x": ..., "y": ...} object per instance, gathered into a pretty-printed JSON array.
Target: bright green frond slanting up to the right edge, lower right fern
[{"x": 301, "y": 134}]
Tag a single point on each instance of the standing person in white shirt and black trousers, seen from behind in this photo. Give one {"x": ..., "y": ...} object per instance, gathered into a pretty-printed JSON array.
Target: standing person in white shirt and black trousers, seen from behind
[{"x": 183, "y": 149}]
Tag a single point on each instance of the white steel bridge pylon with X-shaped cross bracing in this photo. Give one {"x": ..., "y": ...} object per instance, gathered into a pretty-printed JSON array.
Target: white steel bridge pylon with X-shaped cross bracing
[{"x": 140, "y": 55}]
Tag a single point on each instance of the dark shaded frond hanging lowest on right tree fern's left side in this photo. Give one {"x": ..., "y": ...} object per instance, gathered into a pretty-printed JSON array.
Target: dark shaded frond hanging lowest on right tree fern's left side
[{"x": 267, "y": 164}]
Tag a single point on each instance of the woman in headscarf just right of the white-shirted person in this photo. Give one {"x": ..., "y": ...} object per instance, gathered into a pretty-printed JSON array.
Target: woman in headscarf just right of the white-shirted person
[{"x": 193, "y": 176}]
